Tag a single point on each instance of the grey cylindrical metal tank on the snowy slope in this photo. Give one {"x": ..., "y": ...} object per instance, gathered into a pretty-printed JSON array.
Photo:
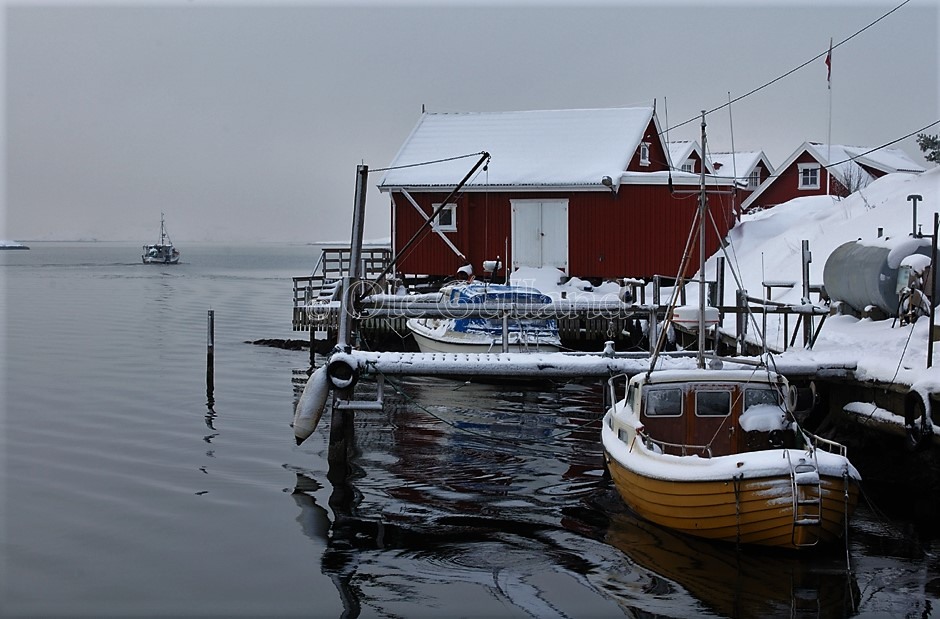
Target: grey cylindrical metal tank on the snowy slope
[{"x": 862, "y": 274}]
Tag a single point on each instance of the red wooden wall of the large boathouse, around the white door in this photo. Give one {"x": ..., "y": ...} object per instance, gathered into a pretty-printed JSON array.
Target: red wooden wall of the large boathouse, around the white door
[{"x": 639, "y": 232}]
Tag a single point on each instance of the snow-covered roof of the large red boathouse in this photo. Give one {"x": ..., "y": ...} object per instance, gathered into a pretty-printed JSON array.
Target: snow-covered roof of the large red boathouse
[{"x": 570, "y": 148}]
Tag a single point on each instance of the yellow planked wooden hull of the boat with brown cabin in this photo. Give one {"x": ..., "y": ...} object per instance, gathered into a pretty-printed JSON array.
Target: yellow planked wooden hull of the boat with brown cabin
[{"x": 747, "y": 511}]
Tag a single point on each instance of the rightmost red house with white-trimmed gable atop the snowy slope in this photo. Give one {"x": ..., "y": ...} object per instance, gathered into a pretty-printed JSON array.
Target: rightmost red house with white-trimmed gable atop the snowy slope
[{"x": 823, "y": 169}]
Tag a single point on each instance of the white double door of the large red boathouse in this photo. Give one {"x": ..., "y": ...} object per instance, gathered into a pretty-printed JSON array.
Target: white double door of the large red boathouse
[{"x": 540, "y": 234}]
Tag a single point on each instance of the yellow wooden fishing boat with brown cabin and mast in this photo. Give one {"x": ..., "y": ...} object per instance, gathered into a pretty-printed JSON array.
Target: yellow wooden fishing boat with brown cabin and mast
[{"x": 716, "y": 452}]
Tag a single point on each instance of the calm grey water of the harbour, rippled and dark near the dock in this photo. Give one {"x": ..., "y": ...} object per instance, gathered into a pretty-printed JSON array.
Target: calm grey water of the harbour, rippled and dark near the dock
[{"x": 125, "y": 494}]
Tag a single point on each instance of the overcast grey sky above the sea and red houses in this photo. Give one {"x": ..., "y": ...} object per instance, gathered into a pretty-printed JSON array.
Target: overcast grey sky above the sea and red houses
[{"x": 245, "y": 121}]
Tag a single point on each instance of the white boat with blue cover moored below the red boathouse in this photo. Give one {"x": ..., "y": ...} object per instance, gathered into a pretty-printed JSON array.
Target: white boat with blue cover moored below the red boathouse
[{"x": 482, "y": 334}]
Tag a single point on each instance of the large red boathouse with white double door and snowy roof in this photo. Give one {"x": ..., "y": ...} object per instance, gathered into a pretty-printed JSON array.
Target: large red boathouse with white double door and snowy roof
[{"x": 587, "y": 191}]
